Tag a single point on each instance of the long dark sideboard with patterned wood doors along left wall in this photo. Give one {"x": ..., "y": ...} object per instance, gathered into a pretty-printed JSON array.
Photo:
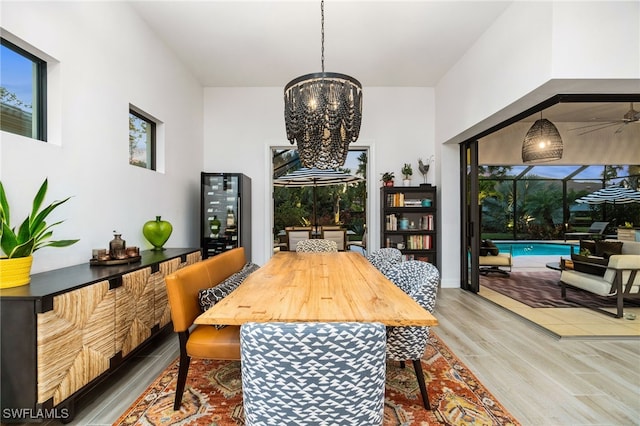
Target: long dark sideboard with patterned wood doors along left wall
[{"x": 70, "y": 327}]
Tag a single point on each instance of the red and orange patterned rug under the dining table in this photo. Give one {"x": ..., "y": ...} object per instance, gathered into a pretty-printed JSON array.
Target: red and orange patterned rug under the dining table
[{"x": 213, "y": 395}]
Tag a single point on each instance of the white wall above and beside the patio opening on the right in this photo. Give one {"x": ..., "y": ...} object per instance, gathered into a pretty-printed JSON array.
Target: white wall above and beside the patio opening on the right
[{"x": 533, "y": 51}]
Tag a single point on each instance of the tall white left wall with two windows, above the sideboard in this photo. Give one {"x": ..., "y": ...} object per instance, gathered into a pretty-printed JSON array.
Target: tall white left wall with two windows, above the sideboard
[{"x": 106, "y": 59}]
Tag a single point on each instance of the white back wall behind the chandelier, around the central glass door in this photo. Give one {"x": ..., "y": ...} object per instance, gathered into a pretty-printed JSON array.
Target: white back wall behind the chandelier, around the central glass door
[{"x": 242, "y": 123}]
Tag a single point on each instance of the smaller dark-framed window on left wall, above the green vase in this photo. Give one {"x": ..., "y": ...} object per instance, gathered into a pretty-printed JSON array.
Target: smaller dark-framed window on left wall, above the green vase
[{"x": 142, "y": 140}]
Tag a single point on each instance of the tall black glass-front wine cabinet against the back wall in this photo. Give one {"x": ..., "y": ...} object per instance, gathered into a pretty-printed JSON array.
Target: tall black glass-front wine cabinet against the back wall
[{"x": 225, "y": 207}]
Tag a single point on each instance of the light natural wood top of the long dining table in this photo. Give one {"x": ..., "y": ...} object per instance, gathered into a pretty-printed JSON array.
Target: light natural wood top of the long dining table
[{"x": 322, "y": 287}]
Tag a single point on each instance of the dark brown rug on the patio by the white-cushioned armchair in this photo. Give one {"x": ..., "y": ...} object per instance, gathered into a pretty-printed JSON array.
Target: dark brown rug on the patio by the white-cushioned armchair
[{"x": 541, "y": 289}]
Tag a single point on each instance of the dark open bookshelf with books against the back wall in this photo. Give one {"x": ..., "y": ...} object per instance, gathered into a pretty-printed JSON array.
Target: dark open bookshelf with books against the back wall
[{"x": 409, "y": 221}]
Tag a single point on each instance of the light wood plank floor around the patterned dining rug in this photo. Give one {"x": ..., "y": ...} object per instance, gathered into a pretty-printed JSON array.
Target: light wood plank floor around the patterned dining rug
[{"x": 540, "y": 379}]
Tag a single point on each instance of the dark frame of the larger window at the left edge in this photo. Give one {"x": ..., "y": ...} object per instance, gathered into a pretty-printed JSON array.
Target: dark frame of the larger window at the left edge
[{"x": 40, "y": 87}]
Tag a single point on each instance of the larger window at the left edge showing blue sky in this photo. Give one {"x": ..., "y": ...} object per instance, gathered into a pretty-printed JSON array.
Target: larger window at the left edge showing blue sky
[{"x": 22, "y": 92}]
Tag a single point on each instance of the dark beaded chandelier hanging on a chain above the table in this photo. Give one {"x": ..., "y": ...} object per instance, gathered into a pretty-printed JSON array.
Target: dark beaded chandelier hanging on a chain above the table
[{"x": 322, "y": 114}]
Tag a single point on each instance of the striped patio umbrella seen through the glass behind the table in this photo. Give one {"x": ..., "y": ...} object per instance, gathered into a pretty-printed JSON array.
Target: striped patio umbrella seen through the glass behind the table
[{"x": 315, "y": 177}]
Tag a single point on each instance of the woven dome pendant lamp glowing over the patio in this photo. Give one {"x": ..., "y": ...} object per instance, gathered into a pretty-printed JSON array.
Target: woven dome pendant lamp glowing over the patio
[{"x": 542, "y": 142}]
